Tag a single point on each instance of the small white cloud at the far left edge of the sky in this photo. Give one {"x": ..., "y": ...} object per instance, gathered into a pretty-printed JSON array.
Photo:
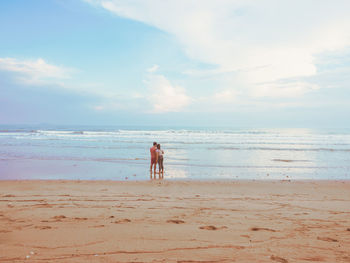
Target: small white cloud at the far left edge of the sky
[{"x": 34, "y": 71}]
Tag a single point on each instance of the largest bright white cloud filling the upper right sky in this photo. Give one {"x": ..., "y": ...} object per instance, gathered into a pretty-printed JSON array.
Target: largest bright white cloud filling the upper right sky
[{"x": 258, "y": 41}]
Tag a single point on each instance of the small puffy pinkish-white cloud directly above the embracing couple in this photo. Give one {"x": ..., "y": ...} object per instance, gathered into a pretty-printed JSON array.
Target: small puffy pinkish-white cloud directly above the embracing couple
[{"x": 165, "y": 97}]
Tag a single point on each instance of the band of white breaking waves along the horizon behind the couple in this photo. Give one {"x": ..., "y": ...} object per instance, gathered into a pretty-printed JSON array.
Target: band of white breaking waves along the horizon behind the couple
[{"x": 191, "y": 137}]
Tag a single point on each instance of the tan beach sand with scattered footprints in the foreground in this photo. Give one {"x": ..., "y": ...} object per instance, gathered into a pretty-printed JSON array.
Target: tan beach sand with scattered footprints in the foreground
[{"x": 175, "y": 221}]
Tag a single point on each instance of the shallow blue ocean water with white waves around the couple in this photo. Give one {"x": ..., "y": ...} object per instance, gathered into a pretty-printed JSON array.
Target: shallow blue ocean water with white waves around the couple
[{"x": 122, "y": 153}]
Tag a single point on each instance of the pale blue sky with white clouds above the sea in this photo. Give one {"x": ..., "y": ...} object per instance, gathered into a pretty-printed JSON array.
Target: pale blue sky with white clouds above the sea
[{"x": 236, "y": 63}]
